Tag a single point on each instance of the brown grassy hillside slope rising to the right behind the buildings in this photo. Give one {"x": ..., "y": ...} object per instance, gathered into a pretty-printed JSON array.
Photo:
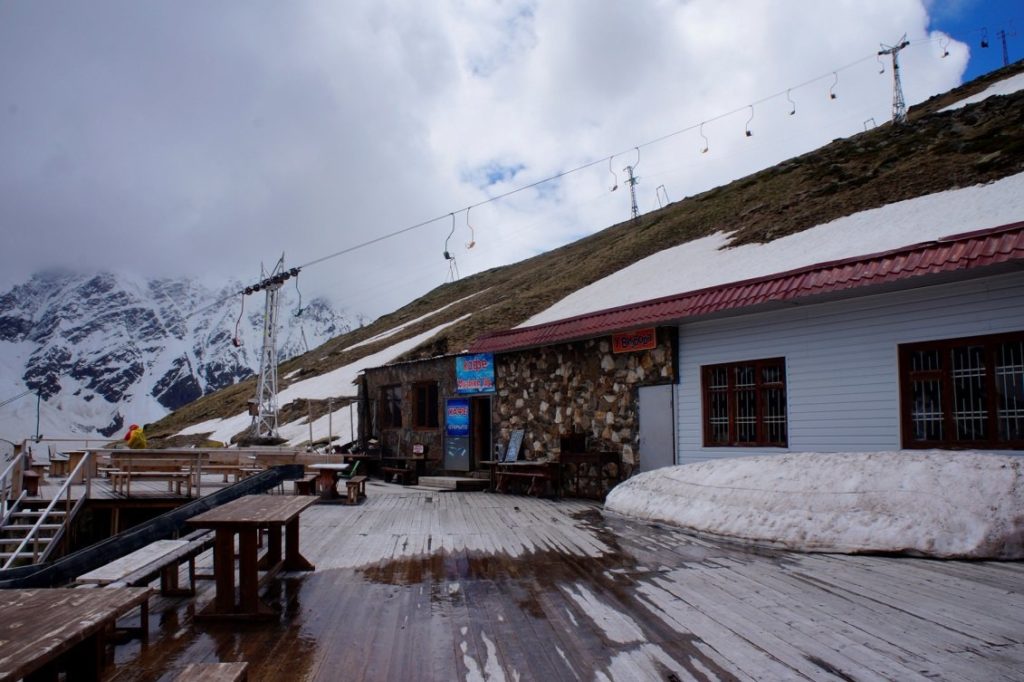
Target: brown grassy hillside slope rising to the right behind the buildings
[{"x": 934, "y": 153}]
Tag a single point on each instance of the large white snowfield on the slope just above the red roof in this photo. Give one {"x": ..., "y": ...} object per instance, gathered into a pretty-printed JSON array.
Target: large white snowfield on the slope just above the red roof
[{"x": 706, "y": 263}]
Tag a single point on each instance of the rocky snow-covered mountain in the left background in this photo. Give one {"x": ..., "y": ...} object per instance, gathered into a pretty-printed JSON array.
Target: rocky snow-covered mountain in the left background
[{"x": 102, "y": 351}]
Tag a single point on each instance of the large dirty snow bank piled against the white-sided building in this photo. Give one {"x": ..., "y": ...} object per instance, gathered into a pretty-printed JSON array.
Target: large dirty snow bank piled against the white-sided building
[{"x": 927, "y": 503}]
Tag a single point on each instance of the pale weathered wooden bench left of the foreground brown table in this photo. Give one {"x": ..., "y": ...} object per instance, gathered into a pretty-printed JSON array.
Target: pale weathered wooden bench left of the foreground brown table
[{"x": 159, "y": 559}]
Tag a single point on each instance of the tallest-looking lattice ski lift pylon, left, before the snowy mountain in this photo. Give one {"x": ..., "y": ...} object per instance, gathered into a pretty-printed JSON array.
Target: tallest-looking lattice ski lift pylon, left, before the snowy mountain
[{"x": 265, "y": 410}]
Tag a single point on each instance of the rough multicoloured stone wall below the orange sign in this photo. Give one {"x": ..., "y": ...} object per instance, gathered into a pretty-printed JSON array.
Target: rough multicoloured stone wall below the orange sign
[{"x": 580, "y": 388}]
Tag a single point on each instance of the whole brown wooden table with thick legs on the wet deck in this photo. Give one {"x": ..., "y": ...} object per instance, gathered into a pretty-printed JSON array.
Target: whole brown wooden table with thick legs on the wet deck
[{"x": 245, "y": 518}]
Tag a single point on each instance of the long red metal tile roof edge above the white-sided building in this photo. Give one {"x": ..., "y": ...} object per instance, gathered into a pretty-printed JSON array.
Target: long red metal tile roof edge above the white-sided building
[{"x": 959, "y": 252}]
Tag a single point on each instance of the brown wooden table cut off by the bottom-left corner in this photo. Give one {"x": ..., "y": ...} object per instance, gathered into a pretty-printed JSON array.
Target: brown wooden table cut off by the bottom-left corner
[{"x": 49, "y": 630}]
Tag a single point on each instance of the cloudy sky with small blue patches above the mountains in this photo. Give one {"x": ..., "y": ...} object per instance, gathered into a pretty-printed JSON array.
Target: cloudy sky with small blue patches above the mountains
[{"x": 204, "y": 139}]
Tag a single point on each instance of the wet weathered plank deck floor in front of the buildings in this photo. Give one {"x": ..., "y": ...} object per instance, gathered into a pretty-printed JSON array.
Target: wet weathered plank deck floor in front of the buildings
[{"x": 419, "y": 586}]
